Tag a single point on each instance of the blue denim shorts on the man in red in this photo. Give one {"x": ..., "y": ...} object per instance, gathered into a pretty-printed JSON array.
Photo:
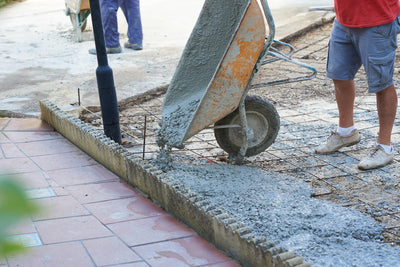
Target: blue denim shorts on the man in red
[{"x": 372, "y": 47}]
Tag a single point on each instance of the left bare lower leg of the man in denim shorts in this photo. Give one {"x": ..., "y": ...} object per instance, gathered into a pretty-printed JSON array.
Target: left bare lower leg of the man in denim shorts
[{"x": 345, "y": 93}]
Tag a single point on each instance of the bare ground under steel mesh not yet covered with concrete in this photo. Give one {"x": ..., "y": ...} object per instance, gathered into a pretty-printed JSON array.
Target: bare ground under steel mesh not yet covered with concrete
[{"x": 307, "y": 112}]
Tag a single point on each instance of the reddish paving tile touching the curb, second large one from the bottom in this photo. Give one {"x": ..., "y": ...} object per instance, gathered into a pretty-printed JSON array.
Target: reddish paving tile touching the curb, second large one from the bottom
[{"x": 149, "y": 230}]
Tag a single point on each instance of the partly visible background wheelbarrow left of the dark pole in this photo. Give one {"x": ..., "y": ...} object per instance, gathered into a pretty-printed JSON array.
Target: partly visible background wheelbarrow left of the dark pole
[{"x": 78, "y": 12}]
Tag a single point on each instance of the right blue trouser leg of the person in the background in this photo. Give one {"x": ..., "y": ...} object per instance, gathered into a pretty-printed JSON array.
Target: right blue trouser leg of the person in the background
[{"x": 131, "y": 9}]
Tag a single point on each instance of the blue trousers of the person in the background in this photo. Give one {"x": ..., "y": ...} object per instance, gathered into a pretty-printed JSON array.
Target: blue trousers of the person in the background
[{"x": 131, "y": 10}]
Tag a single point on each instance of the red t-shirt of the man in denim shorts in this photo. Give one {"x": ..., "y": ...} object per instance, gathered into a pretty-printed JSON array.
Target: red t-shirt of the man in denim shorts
[{"x": 366, "y": 13}]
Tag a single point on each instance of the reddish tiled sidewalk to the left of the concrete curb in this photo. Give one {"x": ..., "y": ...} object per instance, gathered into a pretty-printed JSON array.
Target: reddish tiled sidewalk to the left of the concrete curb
[{"x": 90, "y": 217}]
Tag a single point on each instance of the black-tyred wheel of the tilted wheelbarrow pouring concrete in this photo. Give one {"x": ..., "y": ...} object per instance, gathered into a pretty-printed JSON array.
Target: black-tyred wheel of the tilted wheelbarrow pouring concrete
[{"x": 263, "y": 126}]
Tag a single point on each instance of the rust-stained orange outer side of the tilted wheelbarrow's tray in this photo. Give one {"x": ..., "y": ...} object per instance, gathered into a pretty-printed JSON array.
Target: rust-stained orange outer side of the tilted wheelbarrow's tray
[{"x": 234, "y": 74}]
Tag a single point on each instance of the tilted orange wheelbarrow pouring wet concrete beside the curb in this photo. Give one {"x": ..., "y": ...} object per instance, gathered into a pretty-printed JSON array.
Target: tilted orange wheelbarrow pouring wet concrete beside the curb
[{"x": 209, "y": 88}]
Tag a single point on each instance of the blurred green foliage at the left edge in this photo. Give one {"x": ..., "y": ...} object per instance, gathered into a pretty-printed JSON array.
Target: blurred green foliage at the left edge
[{"x": 14, "y": 207}]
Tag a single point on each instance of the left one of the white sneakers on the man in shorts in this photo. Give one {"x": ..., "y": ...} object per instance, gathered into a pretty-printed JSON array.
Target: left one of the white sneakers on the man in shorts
[{"x": 336, "y": 141}]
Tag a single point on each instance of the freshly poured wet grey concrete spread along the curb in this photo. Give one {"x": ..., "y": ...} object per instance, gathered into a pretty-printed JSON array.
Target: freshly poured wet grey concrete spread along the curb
[{"x": 281, "y": 208}]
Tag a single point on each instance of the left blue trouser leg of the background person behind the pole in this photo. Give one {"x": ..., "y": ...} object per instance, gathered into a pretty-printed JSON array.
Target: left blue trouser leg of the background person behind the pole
[{"x": 109, "y": 10}]
